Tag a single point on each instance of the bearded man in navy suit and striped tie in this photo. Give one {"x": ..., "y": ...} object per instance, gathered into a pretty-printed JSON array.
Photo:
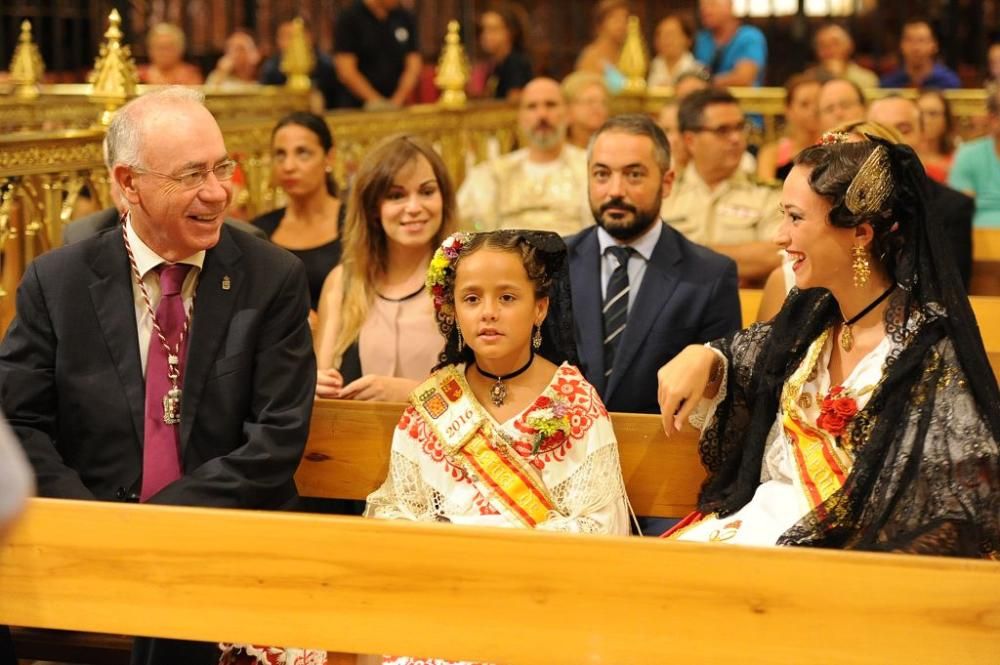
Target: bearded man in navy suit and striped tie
[{"x": 641, "y": 291}]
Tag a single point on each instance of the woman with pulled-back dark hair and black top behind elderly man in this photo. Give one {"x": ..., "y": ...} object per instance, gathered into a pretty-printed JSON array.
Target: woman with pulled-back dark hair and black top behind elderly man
[{"x": 310, "y": 226}]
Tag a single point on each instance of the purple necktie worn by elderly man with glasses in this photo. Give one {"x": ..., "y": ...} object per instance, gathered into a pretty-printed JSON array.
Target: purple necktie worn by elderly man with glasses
[{"x": 161, "y": 463}]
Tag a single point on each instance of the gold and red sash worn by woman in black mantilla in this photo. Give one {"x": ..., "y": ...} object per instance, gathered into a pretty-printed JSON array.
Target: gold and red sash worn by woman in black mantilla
[{"x": 821, "y": 464}]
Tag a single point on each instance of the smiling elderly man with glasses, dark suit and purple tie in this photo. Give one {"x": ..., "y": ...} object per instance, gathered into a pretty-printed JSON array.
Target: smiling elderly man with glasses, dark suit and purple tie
[{"x": 168, "y": 360}]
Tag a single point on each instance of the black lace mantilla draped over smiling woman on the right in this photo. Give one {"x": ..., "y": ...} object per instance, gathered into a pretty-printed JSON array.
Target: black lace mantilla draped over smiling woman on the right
[{"x": 926, "y": 474}]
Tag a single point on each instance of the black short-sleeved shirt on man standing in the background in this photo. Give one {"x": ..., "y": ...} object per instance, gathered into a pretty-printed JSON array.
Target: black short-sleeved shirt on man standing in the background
[{"x": 380, "y": 46}]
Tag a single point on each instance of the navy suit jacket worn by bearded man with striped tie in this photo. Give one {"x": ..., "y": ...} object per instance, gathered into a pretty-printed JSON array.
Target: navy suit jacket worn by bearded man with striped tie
[{"x": 689, "y": 295}]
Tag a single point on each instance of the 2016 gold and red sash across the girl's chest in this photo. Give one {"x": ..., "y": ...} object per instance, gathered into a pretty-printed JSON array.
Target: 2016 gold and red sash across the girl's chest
[{"x": 469, "y": 442}]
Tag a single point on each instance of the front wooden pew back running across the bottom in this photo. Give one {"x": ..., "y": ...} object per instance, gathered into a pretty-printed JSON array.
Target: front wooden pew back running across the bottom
[{"x": 499, "y": 595}]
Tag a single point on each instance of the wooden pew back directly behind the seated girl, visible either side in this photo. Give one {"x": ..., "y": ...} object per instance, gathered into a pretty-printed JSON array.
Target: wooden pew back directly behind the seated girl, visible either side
[{"x": 347, "y": 456}]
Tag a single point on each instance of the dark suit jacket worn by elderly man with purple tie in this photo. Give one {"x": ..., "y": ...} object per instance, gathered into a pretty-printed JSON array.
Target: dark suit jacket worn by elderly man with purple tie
[{"x": 72, "y": 388}]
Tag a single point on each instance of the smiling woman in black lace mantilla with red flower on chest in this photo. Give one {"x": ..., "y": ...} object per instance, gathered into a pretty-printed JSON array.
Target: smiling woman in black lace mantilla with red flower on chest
[{"x": 919, "y": 456}]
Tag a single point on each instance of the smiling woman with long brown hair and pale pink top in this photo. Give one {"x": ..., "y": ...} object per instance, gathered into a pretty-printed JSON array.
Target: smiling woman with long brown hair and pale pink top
[{"x": 377, "y": 336}]
